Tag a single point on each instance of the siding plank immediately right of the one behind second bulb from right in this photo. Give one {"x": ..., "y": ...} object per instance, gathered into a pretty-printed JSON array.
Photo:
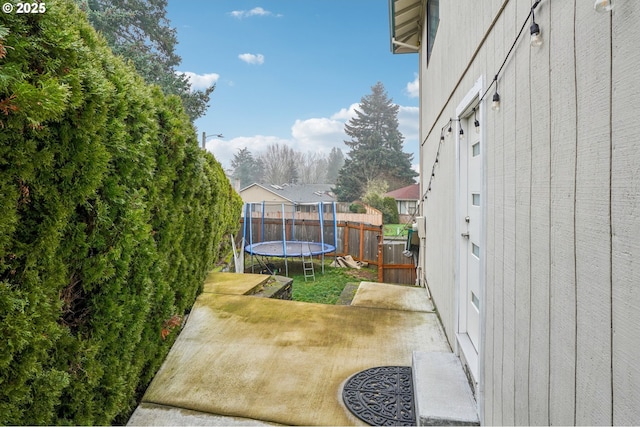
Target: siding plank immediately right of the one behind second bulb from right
[{"x": 563, "y": 163}]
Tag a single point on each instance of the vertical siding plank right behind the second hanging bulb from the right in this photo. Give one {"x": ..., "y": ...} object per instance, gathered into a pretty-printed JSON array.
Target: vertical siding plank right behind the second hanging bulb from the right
[{"x": 539, "y": 83}]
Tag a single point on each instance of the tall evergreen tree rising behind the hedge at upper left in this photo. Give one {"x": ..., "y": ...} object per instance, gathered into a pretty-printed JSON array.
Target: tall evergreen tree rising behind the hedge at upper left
[{"x": 139, "y": 31}]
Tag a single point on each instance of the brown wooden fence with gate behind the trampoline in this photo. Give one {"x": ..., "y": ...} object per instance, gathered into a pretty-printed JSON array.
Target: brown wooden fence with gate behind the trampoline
[{"x": 364, "y": 242}]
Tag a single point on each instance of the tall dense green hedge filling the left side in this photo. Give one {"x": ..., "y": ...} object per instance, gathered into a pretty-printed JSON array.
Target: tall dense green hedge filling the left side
[{"x": 110, "y": 218}]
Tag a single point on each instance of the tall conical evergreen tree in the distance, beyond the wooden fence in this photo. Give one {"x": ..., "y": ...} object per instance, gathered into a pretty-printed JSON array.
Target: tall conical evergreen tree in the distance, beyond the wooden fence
[{"x": 376, "y": 148}]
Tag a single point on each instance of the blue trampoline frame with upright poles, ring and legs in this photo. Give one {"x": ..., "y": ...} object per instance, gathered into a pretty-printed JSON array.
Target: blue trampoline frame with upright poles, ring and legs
[{"x": 251, "y": 246}]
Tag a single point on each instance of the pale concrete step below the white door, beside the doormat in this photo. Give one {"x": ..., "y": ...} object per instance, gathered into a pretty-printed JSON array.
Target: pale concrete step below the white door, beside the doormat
[{"x": 442, "y": 393}]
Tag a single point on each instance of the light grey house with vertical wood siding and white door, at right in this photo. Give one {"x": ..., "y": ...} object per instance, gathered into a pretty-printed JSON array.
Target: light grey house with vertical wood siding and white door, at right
[{"x": 531, "y": 243}]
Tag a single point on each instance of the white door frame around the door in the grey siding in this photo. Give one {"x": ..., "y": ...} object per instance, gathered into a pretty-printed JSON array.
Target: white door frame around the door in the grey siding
[{"x": 463, "y": 345}]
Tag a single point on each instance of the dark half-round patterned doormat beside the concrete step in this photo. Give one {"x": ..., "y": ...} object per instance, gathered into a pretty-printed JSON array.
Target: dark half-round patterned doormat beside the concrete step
[{"x": 381, "y": 396}]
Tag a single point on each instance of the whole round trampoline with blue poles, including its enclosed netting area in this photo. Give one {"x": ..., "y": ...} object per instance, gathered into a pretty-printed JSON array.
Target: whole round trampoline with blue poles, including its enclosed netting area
[{"x": 289, "y": 231}]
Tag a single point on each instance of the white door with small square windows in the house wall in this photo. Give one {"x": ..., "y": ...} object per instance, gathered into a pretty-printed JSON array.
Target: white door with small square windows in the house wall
[{"x": 471, "y": 230}]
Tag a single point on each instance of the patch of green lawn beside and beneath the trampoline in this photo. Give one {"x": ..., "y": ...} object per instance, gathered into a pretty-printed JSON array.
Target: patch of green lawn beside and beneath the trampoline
[{"x": 327, "y": 287}]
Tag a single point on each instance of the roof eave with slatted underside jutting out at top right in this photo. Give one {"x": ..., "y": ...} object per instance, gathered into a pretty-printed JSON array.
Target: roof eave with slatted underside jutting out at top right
[{"x": 405, "y": 19}]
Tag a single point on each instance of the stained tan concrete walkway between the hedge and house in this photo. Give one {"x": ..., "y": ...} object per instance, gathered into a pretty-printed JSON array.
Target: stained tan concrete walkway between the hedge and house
[{"x": 282, "y": 362}]
